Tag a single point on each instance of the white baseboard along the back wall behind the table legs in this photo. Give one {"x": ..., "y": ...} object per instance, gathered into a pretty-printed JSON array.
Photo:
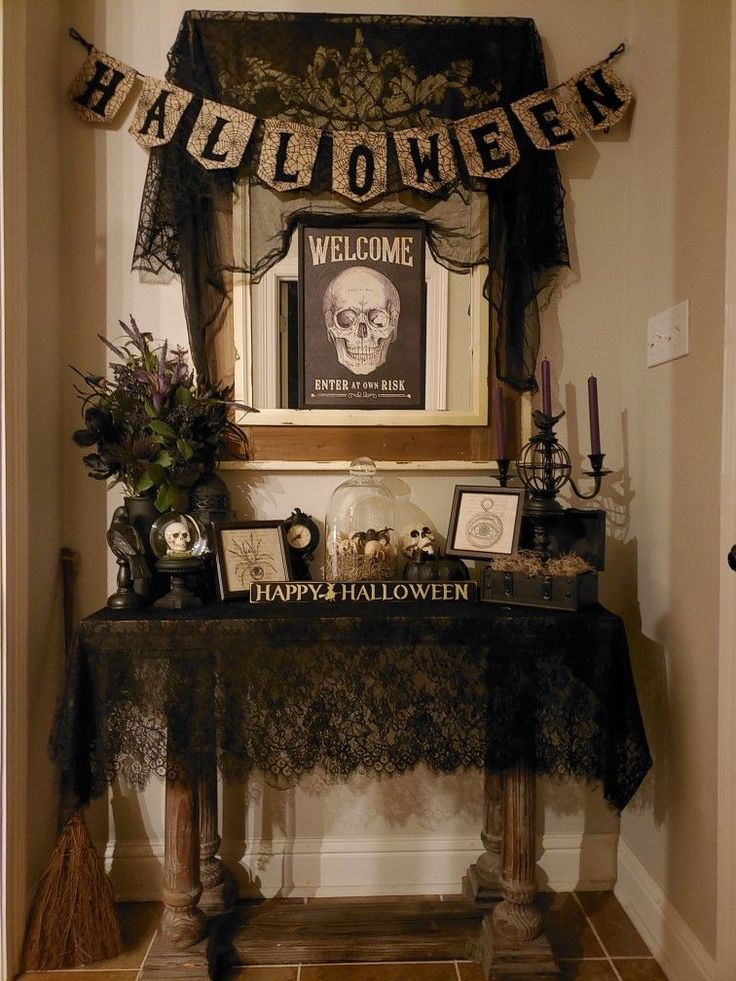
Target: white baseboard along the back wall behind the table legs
[{"x": 409, "y": 865}]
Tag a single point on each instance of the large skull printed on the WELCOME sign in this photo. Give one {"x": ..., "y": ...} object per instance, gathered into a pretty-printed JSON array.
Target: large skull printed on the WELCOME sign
[{"x": 361, "y": 310}]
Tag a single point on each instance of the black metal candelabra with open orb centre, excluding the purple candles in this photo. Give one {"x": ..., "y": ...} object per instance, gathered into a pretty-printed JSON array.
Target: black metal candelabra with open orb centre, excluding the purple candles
[{"x": 544, "y": 468}]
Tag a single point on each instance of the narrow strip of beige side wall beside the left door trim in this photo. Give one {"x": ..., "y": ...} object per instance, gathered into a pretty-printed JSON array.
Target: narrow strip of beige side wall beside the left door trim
[{"x": 44, "y": 423}]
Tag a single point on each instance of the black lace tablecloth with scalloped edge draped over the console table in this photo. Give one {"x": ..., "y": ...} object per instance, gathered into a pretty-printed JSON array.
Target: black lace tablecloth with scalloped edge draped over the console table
[{"x": 284, "y": 689}]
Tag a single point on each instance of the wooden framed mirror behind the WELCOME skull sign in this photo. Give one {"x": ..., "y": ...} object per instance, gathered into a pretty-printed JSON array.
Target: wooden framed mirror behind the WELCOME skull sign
[{"x": 454, "y": 429}]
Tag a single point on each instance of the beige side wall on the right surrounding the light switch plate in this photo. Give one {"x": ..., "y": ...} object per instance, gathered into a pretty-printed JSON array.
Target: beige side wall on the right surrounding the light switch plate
[{"x": 676, "y": 250}]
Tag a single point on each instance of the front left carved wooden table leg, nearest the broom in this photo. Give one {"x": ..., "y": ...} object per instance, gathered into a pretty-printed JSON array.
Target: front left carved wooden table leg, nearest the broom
[{"x": 182, "y": 922}]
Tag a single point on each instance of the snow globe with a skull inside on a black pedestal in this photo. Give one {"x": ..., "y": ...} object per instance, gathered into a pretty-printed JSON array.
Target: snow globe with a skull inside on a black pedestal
[{"x": 179, "y": 542}]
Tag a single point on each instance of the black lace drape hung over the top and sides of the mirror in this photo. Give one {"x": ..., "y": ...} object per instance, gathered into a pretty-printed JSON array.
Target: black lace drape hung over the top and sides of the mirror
[{"x": 406, "y": 69}]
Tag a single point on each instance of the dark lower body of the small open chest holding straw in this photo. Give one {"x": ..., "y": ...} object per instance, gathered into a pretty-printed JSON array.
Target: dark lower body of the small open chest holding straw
[{"x": 554, "y": 592}]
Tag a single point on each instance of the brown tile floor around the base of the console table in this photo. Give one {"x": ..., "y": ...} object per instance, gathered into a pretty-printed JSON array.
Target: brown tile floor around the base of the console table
[{"x": 591, "y": 936}]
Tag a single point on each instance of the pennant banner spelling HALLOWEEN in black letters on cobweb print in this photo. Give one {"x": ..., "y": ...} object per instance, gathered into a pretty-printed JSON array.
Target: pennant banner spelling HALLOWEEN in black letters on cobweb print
[{"x": 429, "y": 157}]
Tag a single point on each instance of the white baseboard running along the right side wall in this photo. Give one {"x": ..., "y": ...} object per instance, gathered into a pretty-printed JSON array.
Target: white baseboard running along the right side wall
[{"x": 679, "y": 952}]
